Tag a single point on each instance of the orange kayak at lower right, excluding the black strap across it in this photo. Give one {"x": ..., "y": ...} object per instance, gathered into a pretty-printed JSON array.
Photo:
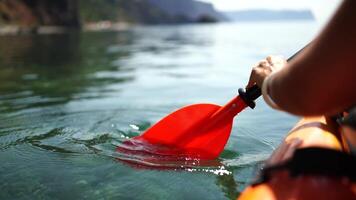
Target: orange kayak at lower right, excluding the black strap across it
[{"x": 318, "y": 132}]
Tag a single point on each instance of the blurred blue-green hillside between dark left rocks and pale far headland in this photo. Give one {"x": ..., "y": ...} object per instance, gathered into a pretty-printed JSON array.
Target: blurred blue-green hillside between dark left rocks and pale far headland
[{"x": 148, "y": 11}]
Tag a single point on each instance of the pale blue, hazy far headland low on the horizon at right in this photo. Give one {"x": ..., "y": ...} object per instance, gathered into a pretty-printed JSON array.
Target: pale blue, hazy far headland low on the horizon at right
[{"x": 269, "y": 15}]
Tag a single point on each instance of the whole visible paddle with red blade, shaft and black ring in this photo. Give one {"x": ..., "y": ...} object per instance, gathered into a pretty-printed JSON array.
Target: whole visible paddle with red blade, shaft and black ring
[{"x": 195, "y": 131}]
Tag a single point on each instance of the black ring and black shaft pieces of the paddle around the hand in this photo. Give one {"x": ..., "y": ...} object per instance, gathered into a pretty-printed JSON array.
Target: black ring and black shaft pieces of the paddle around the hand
[{"x": 251, "y": 94}]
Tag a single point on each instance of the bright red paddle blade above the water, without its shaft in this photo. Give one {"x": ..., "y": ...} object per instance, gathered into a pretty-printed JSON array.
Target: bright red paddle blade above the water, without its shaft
[{"x": 190, "y": 131}]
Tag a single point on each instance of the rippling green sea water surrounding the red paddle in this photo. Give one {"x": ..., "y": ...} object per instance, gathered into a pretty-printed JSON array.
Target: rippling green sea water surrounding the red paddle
[{"x": 67, "y": 100}]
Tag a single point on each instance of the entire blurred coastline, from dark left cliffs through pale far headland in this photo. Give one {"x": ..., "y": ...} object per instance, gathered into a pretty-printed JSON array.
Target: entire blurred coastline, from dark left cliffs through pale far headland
[{"x": 42, "y": 16}]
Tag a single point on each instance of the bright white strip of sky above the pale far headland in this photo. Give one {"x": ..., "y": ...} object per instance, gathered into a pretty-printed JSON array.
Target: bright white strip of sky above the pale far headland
[{"x": 322, "y": 9}]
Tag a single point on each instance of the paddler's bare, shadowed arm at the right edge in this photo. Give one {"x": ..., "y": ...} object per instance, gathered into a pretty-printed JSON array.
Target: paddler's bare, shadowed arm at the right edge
[{"x": 321, "y": 80}]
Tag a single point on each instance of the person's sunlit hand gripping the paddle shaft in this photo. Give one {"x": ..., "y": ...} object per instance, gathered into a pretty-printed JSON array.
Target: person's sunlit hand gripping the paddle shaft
[{"x": 265, "y": 68}]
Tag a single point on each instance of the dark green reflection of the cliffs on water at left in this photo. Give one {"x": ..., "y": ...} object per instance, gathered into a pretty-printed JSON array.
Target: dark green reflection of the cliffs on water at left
[{"x": 55, "y": 69}]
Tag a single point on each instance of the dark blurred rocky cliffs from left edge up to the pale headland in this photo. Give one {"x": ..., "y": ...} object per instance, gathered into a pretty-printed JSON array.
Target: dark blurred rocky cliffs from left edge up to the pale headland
[{"x": 73, "y": 13}]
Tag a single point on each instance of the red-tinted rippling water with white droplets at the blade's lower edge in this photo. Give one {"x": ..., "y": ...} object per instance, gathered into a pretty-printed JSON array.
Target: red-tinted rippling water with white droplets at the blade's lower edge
[{"x": 140, "y": 154}]
